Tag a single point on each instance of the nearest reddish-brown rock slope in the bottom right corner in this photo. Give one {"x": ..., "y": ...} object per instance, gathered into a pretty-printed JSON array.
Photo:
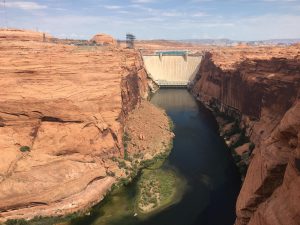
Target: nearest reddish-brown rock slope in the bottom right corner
[{"x": 277, "y": 186}]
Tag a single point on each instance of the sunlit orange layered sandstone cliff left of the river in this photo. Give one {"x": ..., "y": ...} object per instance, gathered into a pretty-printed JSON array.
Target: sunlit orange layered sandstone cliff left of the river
[{"x": 62, "y": 113}]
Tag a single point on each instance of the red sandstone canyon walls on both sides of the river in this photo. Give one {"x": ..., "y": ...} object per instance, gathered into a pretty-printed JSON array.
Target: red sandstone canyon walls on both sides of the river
[{"x": 75, "y": 122}]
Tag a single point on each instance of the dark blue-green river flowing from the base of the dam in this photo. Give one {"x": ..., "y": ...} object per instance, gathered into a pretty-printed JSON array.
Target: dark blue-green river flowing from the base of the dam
[{"x": 200, "y": 157}]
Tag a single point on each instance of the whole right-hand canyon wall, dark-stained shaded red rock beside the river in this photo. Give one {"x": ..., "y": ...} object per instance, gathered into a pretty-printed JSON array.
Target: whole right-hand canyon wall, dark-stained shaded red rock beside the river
[{"x": 260, "y": 87}]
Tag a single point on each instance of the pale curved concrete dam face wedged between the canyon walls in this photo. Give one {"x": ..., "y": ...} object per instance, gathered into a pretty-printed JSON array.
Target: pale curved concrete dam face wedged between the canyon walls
[{"x": 172, "y": 70}]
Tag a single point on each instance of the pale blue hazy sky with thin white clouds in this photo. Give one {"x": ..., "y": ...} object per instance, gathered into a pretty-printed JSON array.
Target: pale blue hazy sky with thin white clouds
[{"x": 155, "y": 19}]
